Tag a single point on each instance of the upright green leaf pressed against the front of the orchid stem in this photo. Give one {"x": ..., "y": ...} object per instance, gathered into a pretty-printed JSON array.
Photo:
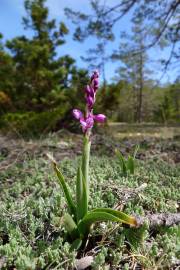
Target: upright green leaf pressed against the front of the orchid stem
[{"x": 81, "y": 196}]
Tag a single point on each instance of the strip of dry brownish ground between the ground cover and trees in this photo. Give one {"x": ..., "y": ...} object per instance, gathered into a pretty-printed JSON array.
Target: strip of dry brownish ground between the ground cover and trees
[{"x": 66, "y": 144}]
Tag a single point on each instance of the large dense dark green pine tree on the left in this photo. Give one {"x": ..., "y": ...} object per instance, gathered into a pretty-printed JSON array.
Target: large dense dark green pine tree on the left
[{"x": 35, "y": 78}]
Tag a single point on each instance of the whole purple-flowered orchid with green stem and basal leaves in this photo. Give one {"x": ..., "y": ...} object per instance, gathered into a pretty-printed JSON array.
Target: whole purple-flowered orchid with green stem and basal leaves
[{"x": 79, "y": 218}]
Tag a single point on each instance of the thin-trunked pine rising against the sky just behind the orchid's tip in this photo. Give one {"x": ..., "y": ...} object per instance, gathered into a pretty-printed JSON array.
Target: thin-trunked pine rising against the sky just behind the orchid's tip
[{"x": 99, "y": 29}]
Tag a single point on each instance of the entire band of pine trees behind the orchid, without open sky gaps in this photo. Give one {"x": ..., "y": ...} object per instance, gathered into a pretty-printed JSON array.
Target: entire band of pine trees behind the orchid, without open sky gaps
[{"x": 34, "y": 80}]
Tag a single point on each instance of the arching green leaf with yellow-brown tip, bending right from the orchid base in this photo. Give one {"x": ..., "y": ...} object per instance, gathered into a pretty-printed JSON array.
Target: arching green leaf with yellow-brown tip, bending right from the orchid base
[{"x": 122, "y": 216}]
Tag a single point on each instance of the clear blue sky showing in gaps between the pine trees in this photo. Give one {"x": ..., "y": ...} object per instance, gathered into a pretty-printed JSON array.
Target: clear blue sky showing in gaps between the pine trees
[{"x": 11, "y": 12}]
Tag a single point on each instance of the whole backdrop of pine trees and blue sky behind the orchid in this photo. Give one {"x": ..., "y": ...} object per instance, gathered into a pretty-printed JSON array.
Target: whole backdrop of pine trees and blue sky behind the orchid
[{"x": 43, "y": 70}]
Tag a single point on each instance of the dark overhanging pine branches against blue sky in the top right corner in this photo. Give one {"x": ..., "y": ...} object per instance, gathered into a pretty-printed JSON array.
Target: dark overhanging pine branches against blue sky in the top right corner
[{"x": 161, "y": 19}]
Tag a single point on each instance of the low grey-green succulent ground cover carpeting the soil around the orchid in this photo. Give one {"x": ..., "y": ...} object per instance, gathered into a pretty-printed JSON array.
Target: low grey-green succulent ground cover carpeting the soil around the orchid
[{"x": 32, "y": 207}]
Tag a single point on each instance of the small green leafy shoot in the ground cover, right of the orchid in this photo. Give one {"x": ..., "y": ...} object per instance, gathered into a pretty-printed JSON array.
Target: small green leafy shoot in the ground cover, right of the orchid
[{"x": 127, "y": 165}]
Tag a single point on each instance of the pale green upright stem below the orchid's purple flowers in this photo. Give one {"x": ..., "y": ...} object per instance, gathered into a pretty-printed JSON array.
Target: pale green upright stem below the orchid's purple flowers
[{"x": 85, "y": 161}]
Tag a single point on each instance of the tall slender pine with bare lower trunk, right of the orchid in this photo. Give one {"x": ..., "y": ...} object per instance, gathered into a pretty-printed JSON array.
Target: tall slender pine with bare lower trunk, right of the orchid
[{"x": 133, "y": 64}]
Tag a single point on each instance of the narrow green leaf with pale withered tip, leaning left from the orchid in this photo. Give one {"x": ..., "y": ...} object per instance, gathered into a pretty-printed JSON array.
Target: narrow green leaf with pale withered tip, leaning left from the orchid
[{"x": 64, "y": 187}]
